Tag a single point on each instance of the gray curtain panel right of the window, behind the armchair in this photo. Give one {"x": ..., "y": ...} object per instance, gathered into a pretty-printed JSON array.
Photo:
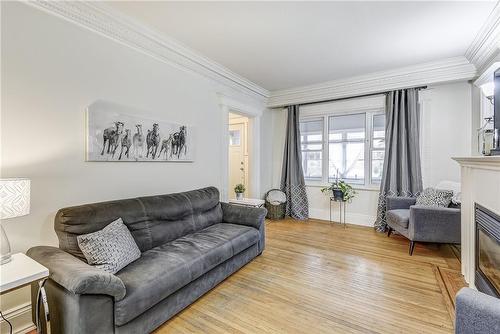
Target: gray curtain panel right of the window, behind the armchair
[{"x": 402, "y": 174}]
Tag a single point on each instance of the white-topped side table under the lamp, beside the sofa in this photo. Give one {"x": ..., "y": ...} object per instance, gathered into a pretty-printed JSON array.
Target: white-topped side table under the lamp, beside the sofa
[{"x": 21, "y": 271}]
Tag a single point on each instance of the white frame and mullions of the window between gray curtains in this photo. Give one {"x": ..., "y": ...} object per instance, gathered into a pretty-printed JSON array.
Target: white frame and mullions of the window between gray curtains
[{"x": 368, "y": 149}]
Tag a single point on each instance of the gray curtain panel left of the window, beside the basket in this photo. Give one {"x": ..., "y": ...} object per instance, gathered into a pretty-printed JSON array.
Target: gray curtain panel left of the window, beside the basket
[{"x": 292, "y": 177}]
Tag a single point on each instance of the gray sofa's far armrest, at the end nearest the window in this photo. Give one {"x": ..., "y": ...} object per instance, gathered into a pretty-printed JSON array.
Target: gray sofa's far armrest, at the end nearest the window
[{"x": 242, "y": 215}]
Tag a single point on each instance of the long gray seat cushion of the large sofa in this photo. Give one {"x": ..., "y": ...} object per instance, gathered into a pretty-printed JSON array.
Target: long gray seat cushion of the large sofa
[{"x": 164, "y": 269}]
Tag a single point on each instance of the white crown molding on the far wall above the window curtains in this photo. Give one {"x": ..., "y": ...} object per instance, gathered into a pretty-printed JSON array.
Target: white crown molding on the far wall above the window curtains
[{"x": 447, "y": 70}]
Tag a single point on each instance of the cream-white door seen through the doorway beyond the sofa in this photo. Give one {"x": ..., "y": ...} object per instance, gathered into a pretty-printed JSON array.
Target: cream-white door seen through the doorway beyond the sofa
[{"x": 237, "y": 161}]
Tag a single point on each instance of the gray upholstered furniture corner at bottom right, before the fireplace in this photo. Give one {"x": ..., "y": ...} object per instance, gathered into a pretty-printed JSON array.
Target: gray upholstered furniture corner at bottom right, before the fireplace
[{"x": 476, "y": 312}]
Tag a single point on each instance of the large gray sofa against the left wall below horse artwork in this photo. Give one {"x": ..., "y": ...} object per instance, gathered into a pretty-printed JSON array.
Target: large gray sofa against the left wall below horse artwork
[{"x": 189, "y": 243}]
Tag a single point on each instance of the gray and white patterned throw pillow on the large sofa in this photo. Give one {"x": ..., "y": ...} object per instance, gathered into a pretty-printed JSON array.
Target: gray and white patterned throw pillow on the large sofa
[{"x": 111, "y": 248}]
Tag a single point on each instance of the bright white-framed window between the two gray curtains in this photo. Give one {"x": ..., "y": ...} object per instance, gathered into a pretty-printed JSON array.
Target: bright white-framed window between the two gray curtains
[{"x": 352, "y": 149}]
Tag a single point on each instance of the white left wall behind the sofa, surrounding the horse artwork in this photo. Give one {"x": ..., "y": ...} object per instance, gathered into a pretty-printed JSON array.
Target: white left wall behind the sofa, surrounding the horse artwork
[{"x": 51, "y": 71}]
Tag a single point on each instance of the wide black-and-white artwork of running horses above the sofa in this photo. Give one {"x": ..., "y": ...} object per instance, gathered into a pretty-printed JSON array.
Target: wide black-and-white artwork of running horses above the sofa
[{"x": 118, "y": 133}]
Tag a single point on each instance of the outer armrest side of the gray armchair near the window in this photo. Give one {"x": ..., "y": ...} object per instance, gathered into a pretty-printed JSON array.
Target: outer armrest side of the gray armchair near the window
[{"x": 434, "y": 224}]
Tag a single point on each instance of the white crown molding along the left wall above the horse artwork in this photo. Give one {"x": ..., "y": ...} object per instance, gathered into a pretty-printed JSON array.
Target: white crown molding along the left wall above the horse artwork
[{"x": 108, "y": 22}]
